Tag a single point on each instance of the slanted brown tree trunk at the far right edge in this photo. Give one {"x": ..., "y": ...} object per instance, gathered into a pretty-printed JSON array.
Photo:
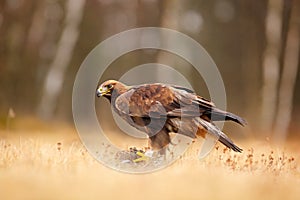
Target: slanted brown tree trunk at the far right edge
[{"x": 288, "y": 79}]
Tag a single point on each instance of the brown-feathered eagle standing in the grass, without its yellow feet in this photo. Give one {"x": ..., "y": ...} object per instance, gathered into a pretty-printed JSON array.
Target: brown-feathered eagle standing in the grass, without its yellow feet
[{"x": 159, "y": 109}]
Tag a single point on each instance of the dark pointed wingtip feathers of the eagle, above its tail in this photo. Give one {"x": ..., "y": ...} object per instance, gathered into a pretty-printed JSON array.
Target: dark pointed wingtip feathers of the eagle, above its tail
[{"x": 219, "y": 115}]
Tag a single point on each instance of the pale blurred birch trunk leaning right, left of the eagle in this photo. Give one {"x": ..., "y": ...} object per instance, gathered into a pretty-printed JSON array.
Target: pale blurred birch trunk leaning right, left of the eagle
[{"x": 55, "y": 77}]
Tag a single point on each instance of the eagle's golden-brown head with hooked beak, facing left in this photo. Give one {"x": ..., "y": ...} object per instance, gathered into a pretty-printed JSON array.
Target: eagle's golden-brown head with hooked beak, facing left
[{"x": 107, "y": 88}]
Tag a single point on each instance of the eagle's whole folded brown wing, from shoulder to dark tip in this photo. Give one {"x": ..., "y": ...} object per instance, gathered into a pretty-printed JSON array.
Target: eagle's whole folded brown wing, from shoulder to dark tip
[{"x": 158, "y": 100}]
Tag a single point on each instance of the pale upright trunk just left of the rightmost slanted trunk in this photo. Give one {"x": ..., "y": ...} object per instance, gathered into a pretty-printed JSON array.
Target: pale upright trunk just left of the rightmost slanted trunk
[{"x": 271, "y": 64}]
